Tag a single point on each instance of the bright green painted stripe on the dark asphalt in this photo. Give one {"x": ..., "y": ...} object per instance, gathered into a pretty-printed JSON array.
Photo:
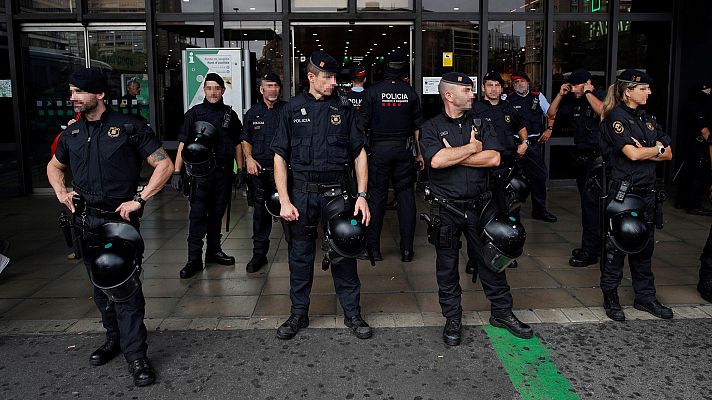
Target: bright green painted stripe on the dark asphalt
[{"x": 529, "y": 367}]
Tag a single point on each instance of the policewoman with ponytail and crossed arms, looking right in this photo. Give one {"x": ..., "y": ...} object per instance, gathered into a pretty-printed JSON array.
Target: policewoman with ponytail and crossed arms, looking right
[{"x": 634, "y": 144}]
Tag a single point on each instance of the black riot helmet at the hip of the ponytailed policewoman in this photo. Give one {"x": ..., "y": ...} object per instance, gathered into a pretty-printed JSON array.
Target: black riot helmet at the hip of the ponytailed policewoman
[{"x": 628, "y": 231}]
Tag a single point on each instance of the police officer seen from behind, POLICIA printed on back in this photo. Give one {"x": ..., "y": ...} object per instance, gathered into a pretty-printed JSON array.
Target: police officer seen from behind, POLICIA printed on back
[{"x": 391, "y": 114}]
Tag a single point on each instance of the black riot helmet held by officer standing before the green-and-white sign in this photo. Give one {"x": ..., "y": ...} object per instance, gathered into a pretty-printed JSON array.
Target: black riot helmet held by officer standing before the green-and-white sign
[{"x": 198, "y": 154}]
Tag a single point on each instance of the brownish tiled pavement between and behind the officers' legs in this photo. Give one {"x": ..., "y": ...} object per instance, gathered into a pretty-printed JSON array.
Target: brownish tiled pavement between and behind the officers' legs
[{"x": 43, "y": 291}]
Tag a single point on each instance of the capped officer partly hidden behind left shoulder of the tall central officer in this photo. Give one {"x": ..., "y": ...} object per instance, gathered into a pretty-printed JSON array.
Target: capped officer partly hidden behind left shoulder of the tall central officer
[{"x": 257, "y": 134}]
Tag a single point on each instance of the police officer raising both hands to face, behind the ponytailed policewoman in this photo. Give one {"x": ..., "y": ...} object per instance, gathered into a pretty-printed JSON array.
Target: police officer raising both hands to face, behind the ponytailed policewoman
[{"x": 576, "y": 109}]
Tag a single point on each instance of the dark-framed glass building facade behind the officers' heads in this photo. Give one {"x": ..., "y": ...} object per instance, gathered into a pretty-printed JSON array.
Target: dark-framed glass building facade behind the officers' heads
[{"x": 506, "y": 36}]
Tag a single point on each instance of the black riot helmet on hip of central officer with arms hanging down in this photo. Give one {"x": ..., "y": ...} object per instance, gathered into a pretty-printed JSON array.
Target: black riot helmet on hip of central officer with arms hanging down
[{"x": 344, "y": 232}]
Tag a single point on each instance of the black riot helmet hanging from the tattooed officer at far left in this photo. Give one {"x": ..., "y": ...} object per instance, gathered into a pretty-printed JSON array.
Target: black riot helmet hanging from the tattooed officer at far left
[{"x": 115, "y": 250}]
